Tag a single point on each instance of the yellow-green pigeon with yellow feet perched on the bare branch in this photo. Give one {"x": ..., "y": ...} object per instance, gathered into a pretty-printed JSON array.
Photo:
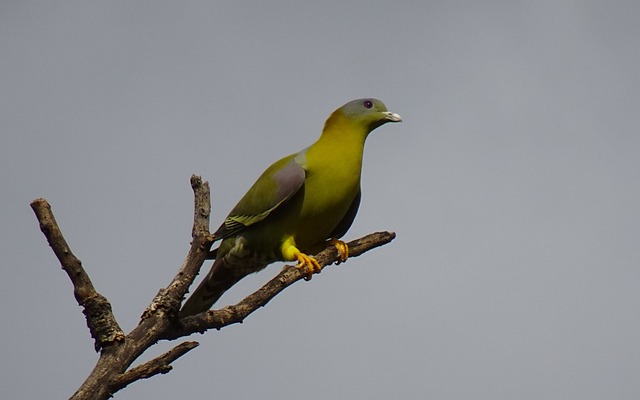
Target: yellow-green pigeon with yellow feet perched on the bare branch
[{"x": 299, "y": 206}]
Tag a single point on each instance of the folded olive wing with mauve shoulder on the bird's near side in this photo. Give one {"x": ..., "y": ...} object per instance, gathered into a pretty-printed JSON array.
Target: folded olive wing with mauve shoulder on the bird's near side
[{"x": 274, "y": 187}]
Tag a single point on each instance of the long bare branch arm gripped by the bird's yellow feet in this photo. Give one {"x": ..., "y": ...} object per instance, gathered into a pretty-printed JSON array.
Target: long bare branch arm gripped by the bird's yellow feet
[{"x": 217, "y": 319}]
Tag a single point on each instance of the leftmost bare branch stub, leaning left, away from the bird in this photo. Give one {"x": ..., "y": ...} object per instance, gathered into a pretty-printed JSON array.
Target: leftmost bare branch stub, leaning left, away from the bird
[{"x": 97, "y": 309}]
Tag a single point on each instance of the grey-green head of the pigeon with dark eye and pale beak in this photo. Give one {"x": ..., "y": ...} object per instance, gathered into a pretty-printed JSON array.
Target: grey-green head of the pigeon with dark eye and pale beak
[{"x": 367, "y": 114}]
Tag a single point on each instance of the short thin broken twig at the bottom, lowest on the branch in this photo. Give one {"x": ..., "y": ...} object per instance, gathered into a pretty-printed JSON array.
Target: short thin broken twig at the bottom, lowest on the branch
[{"x": 159, "y": 365}]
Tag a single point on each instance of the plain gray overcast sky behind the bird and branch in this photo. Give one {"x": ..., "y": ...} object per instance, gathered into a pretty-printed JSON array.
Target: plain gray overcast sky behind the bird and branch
[{"x": 513, "y": 185}]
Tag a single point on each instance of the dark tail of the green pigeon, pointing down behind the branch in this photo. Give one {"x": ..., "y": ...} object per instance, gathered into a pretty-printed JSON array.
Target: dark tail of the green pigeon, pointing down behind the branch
[{"x": 219, "y": 279}]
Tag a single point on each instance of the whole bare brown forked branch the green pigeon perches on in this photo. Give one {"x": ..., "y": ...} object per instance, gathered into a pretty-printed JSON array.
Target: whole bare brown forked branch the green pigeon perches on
[{"x": 160, "y": 320}]
